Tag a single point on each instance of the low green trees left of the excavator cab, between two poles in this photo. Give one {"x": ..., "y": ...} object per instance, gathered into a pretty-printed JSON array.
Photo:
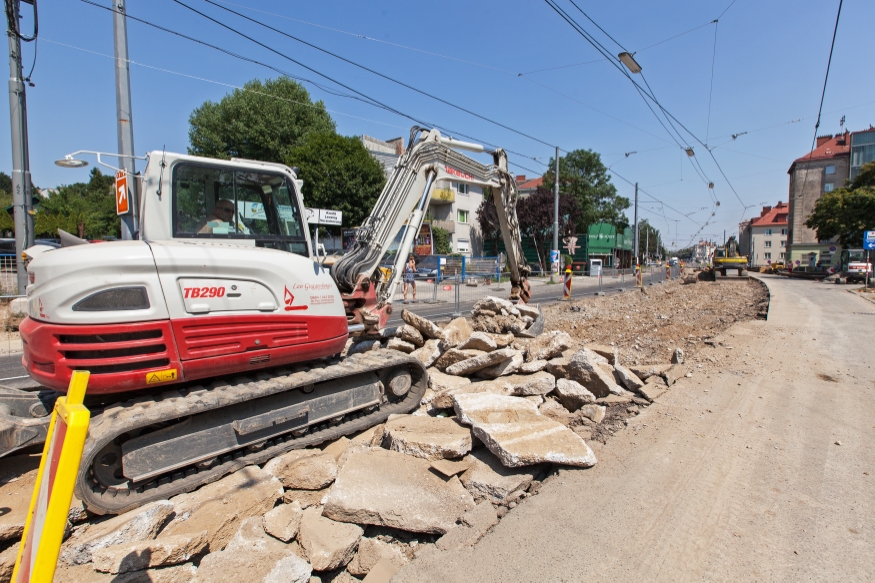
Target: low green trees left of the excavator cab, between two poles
[{"x": 86, "y": 210}]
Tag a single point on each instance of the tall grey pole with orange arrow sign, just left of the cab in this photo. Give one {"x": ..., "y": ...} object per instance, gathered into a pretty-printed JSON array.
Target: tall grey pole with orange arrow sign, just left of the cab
[{"x": 130, "y": 220}]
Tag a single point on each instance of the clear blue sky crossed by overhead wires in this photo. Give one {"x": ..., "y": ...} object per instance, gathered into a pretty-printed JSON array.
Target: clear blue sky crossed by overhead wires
[{"x": 767, "y": 77}]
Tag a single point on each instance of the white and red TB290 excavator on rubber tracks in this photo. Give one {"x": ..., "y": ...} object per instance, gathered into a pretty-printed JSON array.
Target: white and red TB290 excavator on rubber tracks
[{"x": 214, "y": 340}]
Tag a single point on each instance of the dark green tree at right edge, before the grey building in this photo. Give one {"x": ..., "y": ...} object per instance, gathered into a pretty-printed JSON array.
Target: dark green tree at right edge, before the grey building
[{"x": 846, "y": 212}]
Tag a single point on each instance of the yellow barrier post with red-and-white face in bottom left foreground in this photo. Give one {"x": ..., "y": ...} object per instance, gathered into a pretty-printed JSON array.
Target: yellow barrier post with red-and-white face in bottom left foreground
[{"x": 53, "y": 491}]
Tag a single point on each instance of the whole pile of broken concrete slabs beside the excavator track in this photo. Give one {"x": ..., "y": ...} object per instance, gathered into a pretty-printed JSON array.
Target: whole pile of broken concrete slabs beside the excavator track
[{"x": 500, "y": 412}]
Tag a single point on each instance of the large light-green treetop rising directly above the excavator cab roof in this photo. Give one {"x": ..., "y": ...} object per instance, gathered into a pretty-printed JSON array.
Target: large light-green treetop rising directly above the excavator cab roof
[{"x": 262, "y": 121}]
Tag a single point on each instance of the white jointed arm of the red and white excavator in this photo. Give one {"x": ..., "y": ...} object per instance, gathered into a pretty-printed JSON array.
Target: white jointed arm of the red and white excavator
[{"x": 402, "y": 205}]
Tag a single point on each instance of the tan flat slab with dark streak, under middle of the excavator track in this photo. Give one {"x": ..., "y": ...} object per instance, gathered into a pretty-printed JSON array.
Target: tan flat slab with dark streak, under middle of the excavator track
[{"x": 221, "y": 506}]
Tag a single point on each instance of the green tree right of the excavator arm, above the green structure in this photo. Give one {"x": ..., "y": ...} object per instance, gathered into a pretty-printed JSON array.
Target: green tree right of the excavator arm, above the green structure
[{"x": 582, "y": 175}]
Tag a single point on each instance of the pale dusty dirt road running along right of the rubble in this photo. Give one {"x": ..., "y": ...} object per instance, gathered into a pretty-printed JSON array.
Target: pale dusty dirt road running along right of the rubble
[{"x": 758, "y": 468}]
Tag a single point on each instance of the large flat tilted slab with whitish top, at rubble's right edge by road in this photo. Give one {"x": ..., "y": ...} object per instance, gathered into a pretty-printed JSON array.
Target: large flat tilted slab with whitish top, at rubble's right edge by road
[{"x": 514, "y": 432}]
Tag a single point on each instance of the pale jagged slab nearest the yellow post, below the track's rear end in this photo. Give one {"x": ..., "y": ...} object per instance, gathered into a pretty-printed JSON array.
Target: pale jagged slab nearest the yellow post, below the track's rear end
[{"x": 141, "y": 524}]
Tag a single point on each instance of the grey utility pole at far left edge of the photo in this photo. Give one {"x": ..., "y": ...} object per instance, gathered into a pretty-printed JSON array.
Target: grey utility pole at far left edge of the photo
[{"x": 22, "y": 201}]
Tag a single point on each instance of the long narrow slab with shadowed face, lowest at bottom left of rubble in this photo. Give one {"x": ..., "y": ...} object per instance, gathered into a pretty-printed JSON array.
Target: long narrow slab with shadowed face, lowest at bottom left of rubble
[{"x": 139, "y": 555}]
